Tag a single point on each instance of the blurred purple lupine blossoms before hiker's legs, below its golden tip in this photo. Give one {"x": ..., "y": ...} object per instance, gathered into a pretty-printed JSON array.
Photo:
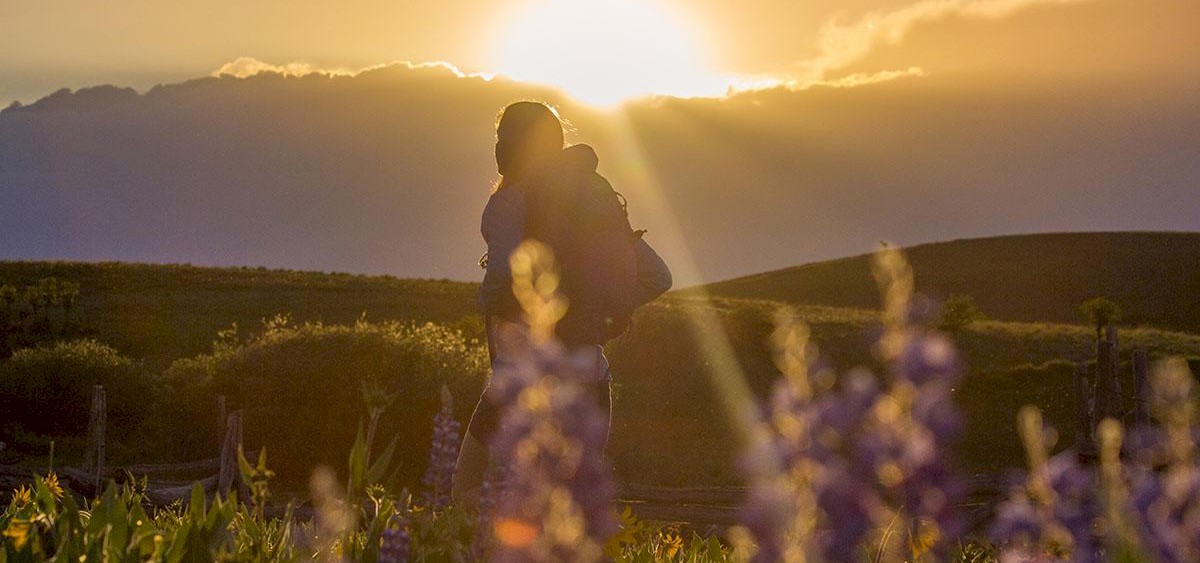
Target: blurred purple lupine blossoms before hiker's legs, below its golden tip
[{"x": 551, "y": 442}]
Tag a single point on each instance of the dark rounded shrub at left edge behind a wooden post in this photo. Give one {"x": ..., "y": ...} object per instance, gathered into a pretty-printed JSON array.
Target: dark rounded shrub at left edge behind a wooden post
[{"x": 49, "y": 390}]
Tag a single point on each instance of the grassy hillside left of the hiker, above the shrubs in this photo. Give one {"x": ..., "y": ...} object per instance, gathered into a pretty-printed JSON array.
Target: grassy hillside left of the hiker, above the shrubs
[{"x": 163, "y": 313}]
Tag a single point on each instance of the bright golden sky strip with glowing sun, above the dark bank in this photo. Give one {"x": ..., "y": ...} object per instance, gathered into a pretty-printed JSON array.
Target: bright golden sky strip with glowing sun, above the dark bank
[{"x": 680, "y": 47}]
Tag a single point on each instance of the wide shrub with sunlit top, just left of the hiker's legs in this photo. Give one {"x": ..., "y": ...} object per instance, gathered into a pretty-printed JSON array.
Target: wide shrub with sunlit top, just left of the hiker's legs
[{"x": 303, "y": 391}]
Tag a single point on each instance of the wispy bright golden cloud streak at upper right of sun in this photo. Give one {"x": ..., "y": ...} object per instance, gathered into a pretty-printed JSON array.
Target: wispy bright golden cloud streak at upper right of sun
[{"x": 842, "y": 45}]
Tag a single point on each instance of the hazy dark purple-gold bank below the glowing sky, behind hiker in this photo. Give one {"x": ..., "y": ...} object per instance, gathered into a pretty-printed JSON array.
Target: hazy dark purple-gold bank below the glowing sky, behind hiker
[{"x": 387, "y": 172}]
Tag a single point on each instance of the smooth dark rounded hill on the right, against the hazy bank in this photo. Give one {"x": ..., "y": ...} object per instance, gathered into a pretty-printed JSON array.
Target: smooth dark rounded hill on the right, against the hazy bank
[{"x": 1154, "y": 277}]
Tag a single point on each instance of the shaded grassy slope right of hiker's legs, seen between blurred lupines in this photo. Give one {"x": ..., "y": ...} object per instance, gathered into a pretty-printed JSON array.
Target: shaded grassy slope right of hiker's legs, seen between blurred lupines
[{"x": 668, "y": 381}]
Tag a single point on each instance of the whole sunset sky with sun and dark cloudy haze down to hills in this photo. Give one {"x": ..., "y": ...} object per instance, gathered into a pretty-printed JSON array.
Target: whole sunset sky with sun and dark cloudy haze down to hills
[{"x": 823, "y": 127}]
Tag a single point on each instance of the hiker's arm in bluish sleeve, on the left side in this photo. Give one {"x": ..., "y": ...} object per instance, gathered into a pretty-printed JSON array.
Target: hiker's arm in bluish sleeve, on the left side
[{"x": 503, "y": 229}]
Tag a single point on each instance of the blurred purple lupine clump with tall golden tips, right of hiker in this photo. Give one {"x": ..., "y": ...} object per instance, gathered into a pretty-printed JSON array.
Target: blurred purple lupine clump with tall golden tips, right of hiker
[{"x": 850, "y": 469}]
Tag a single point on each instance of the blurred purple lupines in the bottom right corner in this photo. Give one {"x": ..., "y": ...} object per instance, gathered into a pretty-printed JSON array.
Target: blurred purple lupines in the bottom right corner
[{"x": 1143, "y": 502}]
